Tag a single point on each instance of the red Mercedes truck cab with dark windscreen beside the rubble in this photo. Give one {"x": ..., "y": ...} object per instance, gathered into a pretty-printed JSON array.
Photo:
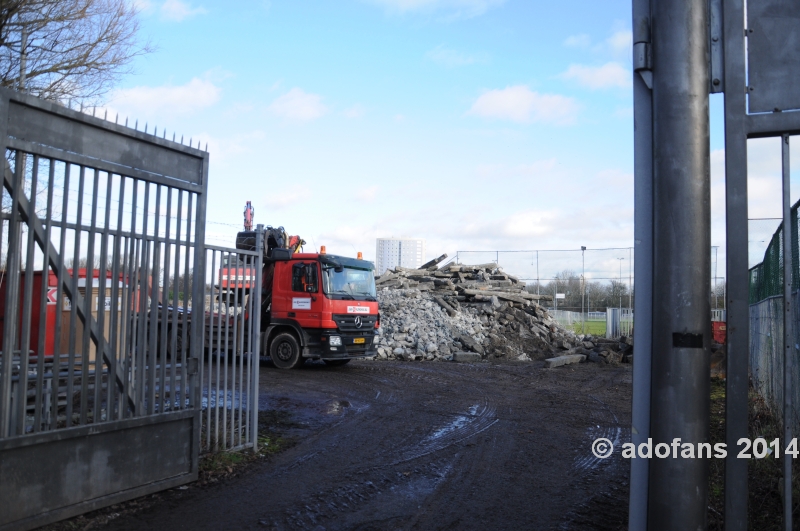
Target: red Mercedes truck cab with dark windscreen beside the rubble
[{"x": 319, "y": 306}]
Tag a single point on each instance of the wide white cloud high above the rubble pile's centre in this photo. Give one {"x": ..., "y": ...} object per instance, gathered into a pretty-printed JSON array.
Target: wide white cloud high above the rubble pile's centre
[{"x": 522, "y": 105}]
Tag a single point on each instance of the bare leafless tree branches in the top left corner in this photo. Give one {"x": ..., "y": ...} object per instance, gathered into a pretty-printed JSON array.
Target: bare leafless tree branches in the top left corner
[{"x": 67, "y": 49}]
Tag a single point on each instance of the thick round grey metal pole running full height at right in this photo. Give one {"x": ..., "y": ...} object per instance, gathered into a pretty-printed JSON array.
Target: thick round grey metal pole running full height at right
[{"x": 680, "y": 402}]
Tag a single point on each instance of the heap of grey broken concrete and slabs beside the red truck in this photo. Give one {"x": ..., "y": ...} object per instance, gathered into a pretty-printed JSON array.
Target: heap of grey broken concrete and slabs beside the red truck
[{"x": 471, "y": 312}]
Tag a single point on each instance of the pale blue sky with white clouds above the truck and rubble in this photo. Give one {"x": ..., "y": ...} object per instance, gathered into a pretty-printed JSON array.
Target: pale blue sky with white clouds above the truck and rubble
[{"x": 475, "y": 124}]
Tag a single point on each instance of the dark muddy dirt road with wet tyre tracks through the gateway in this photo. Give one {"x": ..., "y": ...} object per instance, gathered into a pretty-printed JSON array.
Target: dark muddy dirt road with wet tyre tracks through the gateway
[{"x": 390, "y": 445}]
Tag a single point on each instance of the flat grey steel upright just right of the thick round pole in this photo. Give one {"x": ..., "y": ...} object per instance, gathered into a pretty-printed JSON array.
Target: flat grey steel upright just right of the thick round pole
[{"x": 736, "y": 236}]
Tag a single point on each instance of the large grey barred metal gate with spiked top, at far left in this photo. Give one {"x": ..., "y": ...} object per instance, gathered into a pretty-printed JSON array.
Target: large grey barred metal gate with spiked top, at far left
[{"x": 102, "y": 257}]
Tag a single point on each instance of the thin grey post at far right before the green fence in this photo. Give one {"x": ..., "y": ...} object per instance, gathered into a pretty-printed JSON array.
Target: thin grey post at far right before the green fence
[{"x": 788, "y": 333}]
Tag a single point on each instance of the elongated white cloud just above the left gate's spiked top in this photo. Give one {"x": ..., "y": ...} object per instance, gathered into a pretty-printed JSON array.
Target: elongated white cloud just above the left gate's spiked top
[{"x": 164, "y": 101}]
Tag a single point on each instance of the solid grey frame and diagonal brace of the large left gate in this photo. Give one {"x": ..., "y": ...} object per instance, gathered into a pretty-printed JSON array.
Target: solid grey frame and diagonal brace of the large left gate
[{"x": 67, "y": 459}]
